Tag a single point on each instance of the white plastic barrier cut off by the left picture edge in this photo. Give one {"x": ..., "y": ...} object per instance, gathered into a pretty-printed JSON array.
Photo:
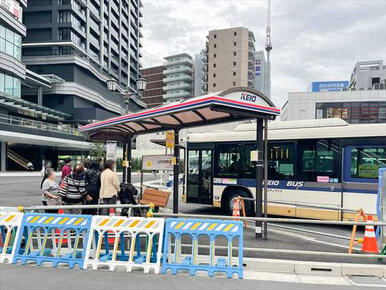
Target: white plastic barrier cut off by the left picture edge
[{"x": 10, "y": 224}]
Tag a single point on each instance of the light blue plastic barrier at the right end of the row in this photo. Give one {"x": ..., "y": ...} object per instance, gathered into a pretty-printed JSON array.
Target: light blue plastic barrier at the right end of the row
[{"x": 195, "y": 228}]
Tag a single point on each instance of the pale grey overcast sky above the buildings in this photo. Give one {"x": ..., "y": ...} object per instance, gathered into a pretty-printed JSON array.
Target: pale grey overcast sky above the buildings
[{"x": 313, "y": 40}]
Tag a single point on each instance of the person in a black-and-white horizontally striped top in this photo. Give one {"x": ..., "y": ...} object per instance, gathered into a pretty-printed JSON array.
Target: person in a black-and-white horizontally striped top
[{"x": 73, "y": 189}]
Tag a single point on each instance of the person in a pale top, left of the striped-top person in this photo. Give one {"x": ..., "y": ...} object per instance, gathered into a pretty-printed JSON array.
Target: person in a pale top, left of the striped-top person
[{"x": 50, "y": 194}]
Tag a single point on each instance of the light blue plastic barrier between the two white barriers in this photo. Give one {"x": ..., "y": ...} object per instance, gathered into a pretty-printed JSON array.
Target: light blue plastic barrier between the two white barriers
[{"x": 59, "y": 238}]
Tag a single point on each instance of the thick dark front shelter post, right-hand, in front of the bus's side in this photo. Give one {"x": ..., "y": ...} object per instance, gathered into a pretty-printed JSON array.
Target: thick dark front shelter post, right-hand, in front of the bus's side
[{"x": 259, "y": 177}]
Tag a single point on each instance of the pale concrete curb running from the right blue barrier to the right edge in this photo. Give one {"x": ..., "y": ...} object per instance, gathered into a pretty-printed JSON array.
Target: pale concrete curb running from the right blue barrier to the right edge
[{"x": 314, "y": 268}]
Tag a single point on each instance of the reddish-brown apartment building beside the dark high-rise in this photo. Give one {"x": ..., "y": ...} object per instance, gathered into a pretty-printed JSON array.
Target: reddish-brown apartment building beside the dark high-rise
[{"x": 153, "y": 94}]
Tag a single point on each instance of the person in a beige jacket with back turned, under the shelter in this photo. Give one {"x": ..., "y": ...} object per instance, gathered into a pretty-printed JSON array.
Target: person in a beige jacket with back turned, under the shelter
[{"x": 109, "y": 186}]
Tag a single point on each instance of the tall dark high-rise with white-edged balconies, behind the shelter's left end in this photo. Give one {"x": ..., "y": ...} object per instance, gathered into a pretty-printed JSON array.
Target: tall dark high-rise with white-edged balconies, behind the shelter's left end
[{"x": 80, "y": 45}]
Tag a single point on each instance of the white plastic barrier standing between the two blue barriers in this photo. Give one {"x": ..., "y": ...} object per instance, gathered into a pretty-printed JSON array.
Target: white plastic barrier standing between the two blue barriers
[{"x": 130, "y": 243}]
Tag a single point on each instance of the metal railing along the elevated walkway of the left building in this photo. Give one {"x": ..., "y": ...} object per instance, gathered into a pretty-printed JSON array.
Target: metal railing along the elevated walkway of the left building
[{"x": 28, "y": 123}]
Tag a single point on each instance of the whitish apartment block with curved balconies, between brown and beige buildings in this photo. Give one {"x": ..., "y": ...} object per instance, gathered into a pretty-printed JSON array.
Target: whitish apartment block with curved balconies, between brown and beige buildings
[{"x": 178, "y": 77}]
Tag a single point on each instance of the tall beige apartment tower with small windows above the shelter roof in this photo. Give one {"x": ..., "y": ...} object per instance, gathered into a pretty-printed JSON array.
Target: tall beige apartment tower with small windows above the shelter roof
[{"x": 230, "y": 59}]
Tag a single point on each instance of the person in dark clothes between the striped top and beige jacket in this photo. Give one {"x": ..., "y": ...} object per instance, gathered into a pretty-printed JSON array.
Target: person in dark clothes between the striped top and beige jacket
[{"x": 93, "y": 185}]
